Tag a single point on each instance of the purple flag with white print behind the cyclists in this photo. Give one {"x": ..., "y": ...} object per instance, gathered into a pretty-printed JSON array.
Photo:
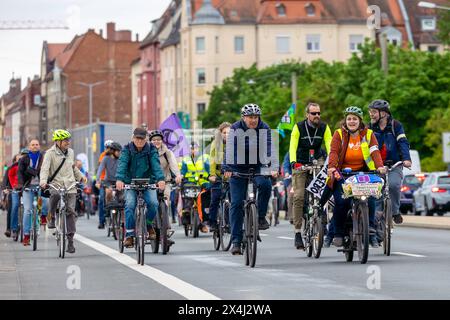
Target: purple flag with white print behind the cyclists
[{"x": 173, "y": 136}]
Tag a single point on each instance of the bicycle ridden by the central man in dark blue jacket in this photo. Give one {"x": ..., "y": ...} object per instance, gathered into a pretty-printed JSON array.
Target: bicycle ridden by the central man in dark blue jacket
[{"x": 251, "y": 225}]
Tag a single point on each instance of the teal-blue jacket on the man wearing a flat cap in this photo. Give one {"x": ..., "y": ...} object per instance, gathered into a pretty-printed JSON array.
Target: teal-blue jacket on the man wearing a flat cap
[{"x": 143, "y": 164}]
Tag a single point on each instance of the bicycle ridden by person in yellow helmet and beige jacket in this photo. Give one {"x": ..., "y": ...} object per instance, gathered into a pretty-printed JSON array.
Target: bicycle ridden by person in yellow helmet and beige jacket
[{"x": 61, "y": 217}]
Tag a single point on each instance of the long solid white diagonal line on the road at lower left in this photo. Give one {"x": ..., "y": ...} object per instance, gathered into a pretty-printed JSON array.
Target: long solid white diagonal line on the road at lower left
[{"x": 171, "y": 282}]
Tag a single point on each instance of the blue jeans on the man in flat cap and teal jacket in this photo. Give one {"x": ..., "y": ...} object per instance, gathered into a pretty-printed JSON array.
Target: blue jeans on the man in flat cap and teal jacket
[{"x": 150, "y": 199}]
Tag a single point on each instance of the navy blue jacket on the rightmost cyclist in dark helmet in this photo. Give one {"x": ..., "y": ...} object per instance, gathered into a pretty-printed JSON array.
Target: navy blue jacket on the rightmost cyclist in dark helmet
[{"x": 392, "y": 140}]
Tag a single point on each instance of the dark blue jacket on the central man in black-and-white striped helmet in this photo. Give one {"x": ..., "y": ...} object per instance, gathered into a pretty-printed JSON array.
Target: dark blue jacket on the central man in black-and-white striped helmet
[{"x": 247, "y": 146}]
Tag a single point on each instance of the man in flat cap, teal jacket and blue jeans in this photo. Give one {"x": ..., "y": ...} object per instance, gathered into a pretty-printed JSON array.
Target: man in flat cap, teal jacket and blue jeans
[{"x": 139, "y": 159}]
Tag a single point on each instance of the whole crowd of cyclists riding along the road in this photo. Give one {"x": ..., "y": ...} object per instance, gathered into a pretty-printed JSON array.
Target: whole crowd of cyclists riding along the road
[{"x": 355, "y": 145}]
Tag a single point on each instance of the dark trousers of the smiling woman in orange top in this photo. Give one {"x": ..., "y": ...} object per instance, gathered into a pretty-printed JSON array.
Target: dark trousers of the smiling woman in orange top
[{"x": 341, "y": 208}]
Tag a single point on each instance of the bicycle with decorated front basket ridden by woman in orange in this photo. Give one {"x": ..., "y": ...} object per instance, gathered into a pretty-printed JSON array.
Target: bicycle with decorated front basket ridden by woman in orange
[{"x": 357, "y": 225}]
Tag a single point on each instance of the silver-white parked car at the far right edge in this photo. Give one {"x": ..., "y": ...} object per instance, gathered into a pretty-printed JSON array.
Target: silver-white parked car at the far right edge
[{"x": 434, "y": 195}]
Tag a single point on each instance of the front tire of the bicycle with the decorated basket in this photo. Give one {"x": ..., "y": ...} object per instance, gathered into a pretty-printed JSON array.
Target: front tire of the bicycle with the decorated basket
[{"x": 362, "y": 226}]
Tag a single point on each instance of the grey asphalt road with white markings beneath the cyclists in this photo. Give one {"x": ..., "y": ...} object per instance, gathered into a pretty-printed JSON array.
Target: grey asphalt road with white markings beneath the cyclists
[{"x": 418, "y": 269}]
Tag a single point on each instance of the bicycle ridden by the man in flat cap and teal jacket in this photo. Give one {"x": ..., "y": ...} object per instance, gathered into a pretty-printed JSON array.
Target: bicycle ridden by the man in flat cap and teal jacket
[{"x": 140, "y": 186}]
